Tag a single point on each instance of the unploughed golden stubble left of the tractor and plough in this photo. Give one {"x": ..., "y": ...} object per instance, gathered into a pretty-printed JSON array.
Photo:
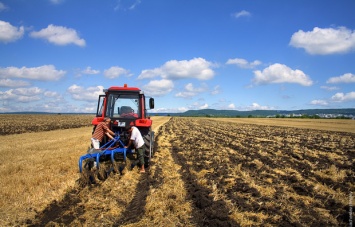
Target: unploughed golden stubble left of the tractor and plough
[{"x": 37, "y": 168}]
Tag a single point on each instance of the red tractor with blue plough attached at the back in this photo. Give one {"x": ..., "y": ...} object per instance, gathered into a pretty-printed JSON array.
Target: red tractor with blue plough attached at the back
[{"x": 126, "y": 106}]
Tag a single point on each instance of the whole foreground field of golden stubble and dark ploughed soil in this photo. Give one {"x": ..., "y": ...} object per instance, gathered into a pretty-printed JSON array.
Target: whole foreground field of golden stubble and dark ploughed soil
[{"x": 206, "y": 172}]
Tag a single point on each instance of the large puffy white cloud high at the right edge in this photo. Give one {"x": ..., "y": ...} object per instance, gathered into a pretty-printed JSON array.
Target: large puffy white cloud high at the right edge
[{"x": 325, "y": 41}]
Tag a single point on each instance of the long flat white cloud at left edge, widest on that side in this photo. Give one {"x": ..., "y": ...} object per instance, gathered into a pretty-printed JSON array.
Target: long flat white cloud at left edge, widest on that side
[{"x": 44, "y": 73}]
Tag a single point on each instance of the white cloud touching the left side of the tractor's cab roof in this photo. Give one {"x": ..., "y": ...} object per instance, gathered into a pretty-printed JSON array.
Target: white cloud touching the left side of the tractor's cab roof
[{"x": 85, "y": 94}]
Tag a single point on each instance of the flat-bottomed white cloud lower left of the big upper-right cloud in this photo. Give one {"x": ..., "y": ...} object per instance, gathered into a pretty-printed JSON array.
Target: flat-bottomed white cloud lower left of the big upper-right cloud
[{"x": 279, "y": 73}]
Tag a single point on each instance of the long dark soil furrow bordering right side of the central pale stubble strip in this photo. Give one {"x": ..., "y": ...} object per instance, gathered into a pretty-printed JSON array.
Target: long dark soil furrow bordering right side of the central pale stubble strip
[{"x": 206, "y": 211}]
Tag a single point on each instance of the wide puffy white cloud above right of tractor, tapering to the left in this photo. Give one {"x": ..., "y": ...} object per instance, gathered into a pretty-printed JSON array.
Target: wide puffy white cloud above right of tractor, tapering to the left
[{"x": 197, "y": 68}]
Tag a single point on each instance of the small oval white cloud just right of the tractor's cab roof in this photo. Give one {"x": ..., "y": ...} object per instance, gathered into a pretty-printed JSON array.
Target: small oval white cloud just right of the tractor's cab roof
[{"x": 158, "y": 87}]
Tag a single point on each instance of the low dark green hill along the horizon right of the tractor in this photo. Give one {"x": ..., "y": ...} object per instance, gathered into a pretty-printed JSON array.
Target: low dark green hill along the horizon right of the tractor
[{"x": 261, "y": 113}]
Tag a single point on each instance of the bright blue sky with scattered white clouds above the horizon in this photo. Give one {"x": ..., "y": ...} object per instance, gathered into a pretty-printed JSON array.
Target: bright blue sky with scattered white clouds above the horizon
[{"x": 58, "y": 55}]
